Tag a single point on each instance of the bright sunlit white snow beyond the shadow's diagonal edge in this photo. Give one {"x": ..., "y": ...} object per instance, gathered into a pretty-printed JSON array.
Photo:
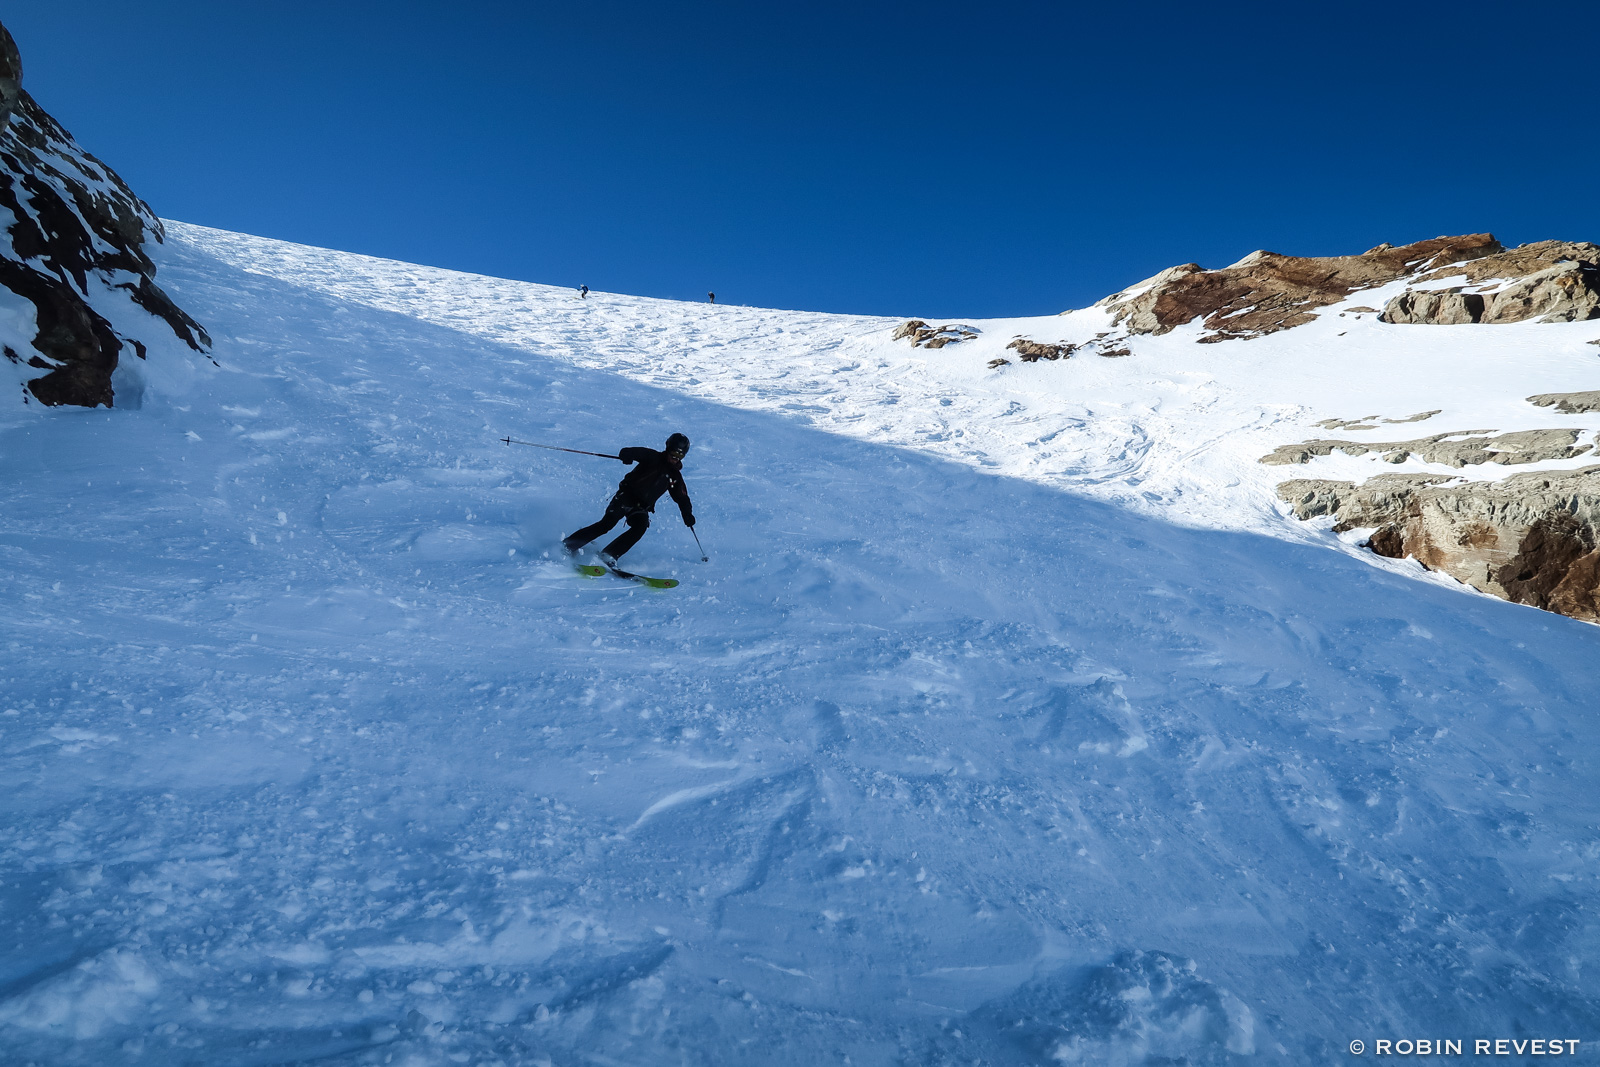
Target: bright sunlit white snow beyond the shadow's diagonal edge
[{"x": 1177, "y": 431}]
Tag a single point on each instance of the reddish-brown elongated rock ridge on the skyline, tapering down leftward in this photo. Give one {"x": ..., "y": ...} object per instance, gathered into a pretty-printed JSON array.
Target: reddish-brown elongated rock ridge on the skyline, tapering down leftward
[{"x": 1266, "y": 292}]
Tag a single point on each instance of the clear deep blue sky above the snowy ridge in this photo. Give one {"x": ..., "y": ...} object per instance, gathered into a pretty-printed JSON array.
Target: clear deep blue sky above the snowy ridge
[{"x": 937, "y": 159}]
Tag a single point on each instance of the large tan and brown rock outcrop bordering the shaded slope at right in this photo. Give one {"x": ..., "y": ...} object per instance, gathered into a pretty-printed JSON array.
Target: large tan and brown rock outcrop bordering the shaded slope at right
[{"x": 1530, "y": 538}]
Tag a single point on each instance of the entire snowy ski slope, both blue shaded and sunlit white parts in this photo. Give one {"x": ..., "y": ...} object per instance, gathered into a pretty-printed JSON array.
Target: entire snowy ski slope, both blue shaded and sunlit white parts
[{"x": 1012, "y": 721}]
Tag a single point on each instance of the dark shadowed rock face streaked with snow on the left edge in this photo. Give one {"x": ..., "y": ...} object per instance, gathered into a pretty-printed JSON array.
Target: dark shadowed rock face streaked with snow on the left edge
[{"x": 74, "y": 250}]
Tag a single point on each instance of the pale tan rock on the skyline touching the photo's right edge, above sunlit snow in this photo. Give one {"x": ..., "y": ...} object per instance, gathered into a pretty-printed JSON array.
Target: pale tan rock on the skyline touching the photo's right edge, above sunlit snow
[{"x": 1543, "y": 282}]
